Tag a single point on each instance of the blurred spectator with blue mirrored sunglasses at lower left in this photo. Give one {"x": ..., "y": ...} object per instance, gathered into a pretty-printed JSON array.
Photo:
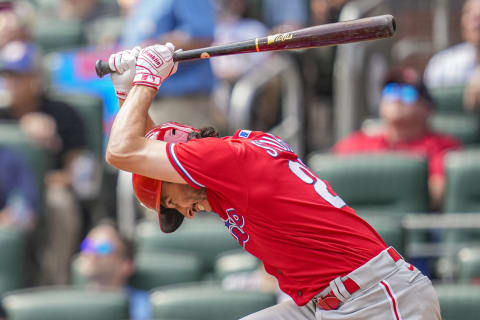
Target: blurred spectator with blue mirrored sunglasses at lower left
[{"x": 106, "y": 261}]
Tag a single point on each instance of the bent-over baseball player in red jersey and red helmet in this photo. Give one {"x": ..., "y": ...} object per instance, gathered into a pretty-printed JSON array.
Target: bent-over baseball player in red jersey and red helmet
[{"x": 327, "y": 259}]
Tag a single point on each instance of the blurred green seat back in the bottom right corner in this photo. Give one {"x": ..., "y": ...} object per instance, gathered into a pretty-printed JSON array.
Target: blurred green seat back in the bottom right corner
[{"x": 459, "y": 302}]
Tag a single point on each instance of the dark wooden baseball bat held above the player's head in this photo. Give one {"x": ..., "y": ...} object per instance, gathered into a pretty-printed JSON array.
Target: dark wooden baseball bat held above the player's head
[{"x": 331, "y": 34}]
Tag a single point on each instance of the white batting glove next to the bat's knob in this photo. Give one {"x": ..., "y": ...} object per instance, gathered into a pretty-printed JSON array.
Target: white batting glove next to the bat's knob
[{"x": 123, "y": 63}]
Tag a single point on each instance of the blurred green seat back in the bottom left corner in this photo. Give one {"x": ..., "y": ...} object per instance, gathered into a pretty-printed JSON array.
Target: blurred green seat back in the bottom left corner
[{"x": 60, "y": 303}]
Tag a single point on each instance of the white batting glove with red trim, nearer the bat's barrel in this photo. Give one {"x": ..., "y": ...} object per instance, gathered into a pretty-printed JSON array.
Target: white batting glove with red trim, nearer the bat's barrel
[{"x": 154, "y": 65}]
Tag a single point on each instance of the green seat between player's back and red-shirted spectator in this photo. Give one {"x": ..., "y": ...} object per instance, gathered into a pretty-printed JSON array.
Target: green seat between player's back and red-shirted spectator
[{"x": 376, "y": 183}]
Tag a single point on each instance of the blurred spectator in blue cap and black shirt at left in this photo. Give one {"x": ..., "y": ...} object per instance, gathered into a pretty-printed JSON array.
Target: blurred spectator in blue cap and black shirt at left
[{"x": 57, "y": 128}]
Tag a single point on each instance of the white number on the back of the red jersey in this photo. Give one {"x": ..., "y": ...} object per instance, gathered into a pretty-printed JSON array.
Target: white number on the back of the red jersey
[{"x": 307, "y": 176}]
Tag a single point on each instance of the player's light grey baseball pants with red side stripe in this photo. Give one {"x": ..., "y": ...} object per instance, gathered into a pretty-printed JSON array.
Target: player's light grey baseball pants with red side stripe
[{"x": 388, "y": 291}]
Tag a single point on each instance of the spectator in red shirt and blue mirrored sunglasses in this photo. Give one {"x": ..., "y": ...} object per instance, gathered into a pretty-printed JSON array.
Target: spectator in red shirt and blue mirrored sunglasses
[{"x": 405, "y": 109}]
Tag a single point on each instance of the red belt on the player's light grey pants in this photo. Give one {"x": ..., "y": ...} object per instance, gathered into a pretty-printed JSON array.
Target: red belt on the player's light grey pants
[{"x": 341, "y": 290}]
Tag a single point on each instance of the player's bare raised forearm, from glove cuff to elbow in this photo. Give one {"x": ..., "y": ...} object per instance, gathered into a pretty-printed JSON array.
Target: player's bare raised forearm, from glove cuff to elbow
[{"x": 128, "y": 130}]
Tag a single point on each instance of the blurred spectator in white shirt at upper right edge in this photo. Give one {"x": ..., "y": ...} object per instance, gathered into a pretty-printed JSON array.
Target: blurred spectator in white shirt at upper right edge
[{"x": 458, "y": 65}]
